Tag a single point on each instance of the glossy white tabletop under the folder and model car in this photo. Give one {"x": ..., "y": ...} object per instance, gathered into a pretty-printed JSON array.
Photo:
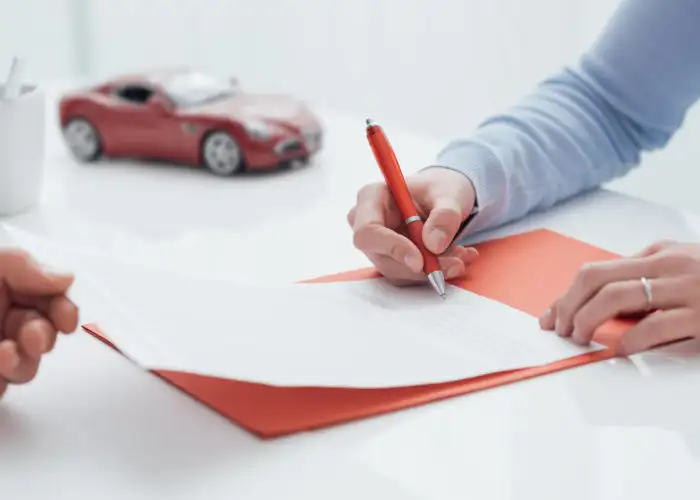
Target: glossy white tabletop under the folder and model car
[{"x": 93, "y": 426}]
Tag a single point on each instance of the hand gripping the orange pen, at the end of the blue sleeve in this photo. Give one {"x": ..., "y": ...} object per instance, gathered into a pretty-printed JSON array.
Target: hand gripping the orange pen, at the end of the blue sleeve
[{"x": 443, "y": 197}]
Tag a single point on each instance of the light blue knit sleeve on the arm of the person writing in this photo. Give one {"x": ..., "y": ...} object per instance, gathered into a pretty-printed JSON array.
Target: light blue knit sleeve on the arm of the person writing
[{"x": 590, "y": 123}]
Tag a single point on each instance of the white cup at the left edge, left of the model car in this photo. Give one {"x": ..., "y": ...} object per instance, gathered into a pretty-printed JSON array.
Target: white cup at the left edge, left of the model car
[{"x": 22, "y": 137}]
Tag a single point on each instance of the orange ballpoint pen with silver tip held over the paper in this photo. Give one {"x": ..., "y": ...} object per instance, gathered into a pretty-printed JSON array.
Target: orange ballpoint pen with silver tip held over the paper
[{"x": 389, "y": 165}]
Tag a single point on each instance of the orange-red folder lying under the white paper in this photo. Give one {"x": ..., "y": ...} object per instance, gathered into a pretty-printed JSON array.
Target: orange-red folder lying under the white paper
[{"x": 526, "y": 271}]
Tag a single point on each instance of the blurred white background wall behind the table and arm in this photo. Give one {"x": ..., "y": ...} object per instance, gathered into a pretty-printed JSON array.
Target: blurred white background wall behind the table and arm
[{"x": 436, "y": 66}]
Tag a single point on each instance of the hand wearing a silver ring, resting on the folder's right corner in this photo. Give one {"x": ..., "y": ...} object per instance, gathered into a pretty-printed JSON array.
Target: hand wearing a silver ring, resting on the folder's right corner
[{"x": 664, "y": 277}]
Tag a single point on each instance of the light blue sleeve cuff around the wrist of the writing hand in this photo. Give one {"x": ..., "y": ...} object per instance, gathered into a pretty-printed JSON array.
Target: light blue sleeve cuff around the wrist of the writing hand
[{"x": 481, "y": 166}]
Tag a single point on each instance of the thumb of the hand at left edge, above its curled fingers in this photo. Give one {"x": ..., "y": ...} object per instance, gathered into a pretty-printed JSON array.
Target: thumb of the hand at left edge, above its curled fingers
[{"x": 23, "y": 274}]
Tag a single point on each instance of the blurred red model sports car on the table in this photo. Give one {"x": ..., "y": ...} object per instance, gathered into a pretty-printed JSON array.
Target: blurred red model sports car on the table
[{"x": 188, "y": 117}]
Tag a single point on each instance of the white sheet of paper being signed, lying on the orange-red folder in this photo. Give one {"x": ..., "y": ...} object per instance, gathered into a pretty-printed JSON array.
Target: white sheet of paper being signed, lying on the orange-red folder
[{"x": 358, "y": 334}]
